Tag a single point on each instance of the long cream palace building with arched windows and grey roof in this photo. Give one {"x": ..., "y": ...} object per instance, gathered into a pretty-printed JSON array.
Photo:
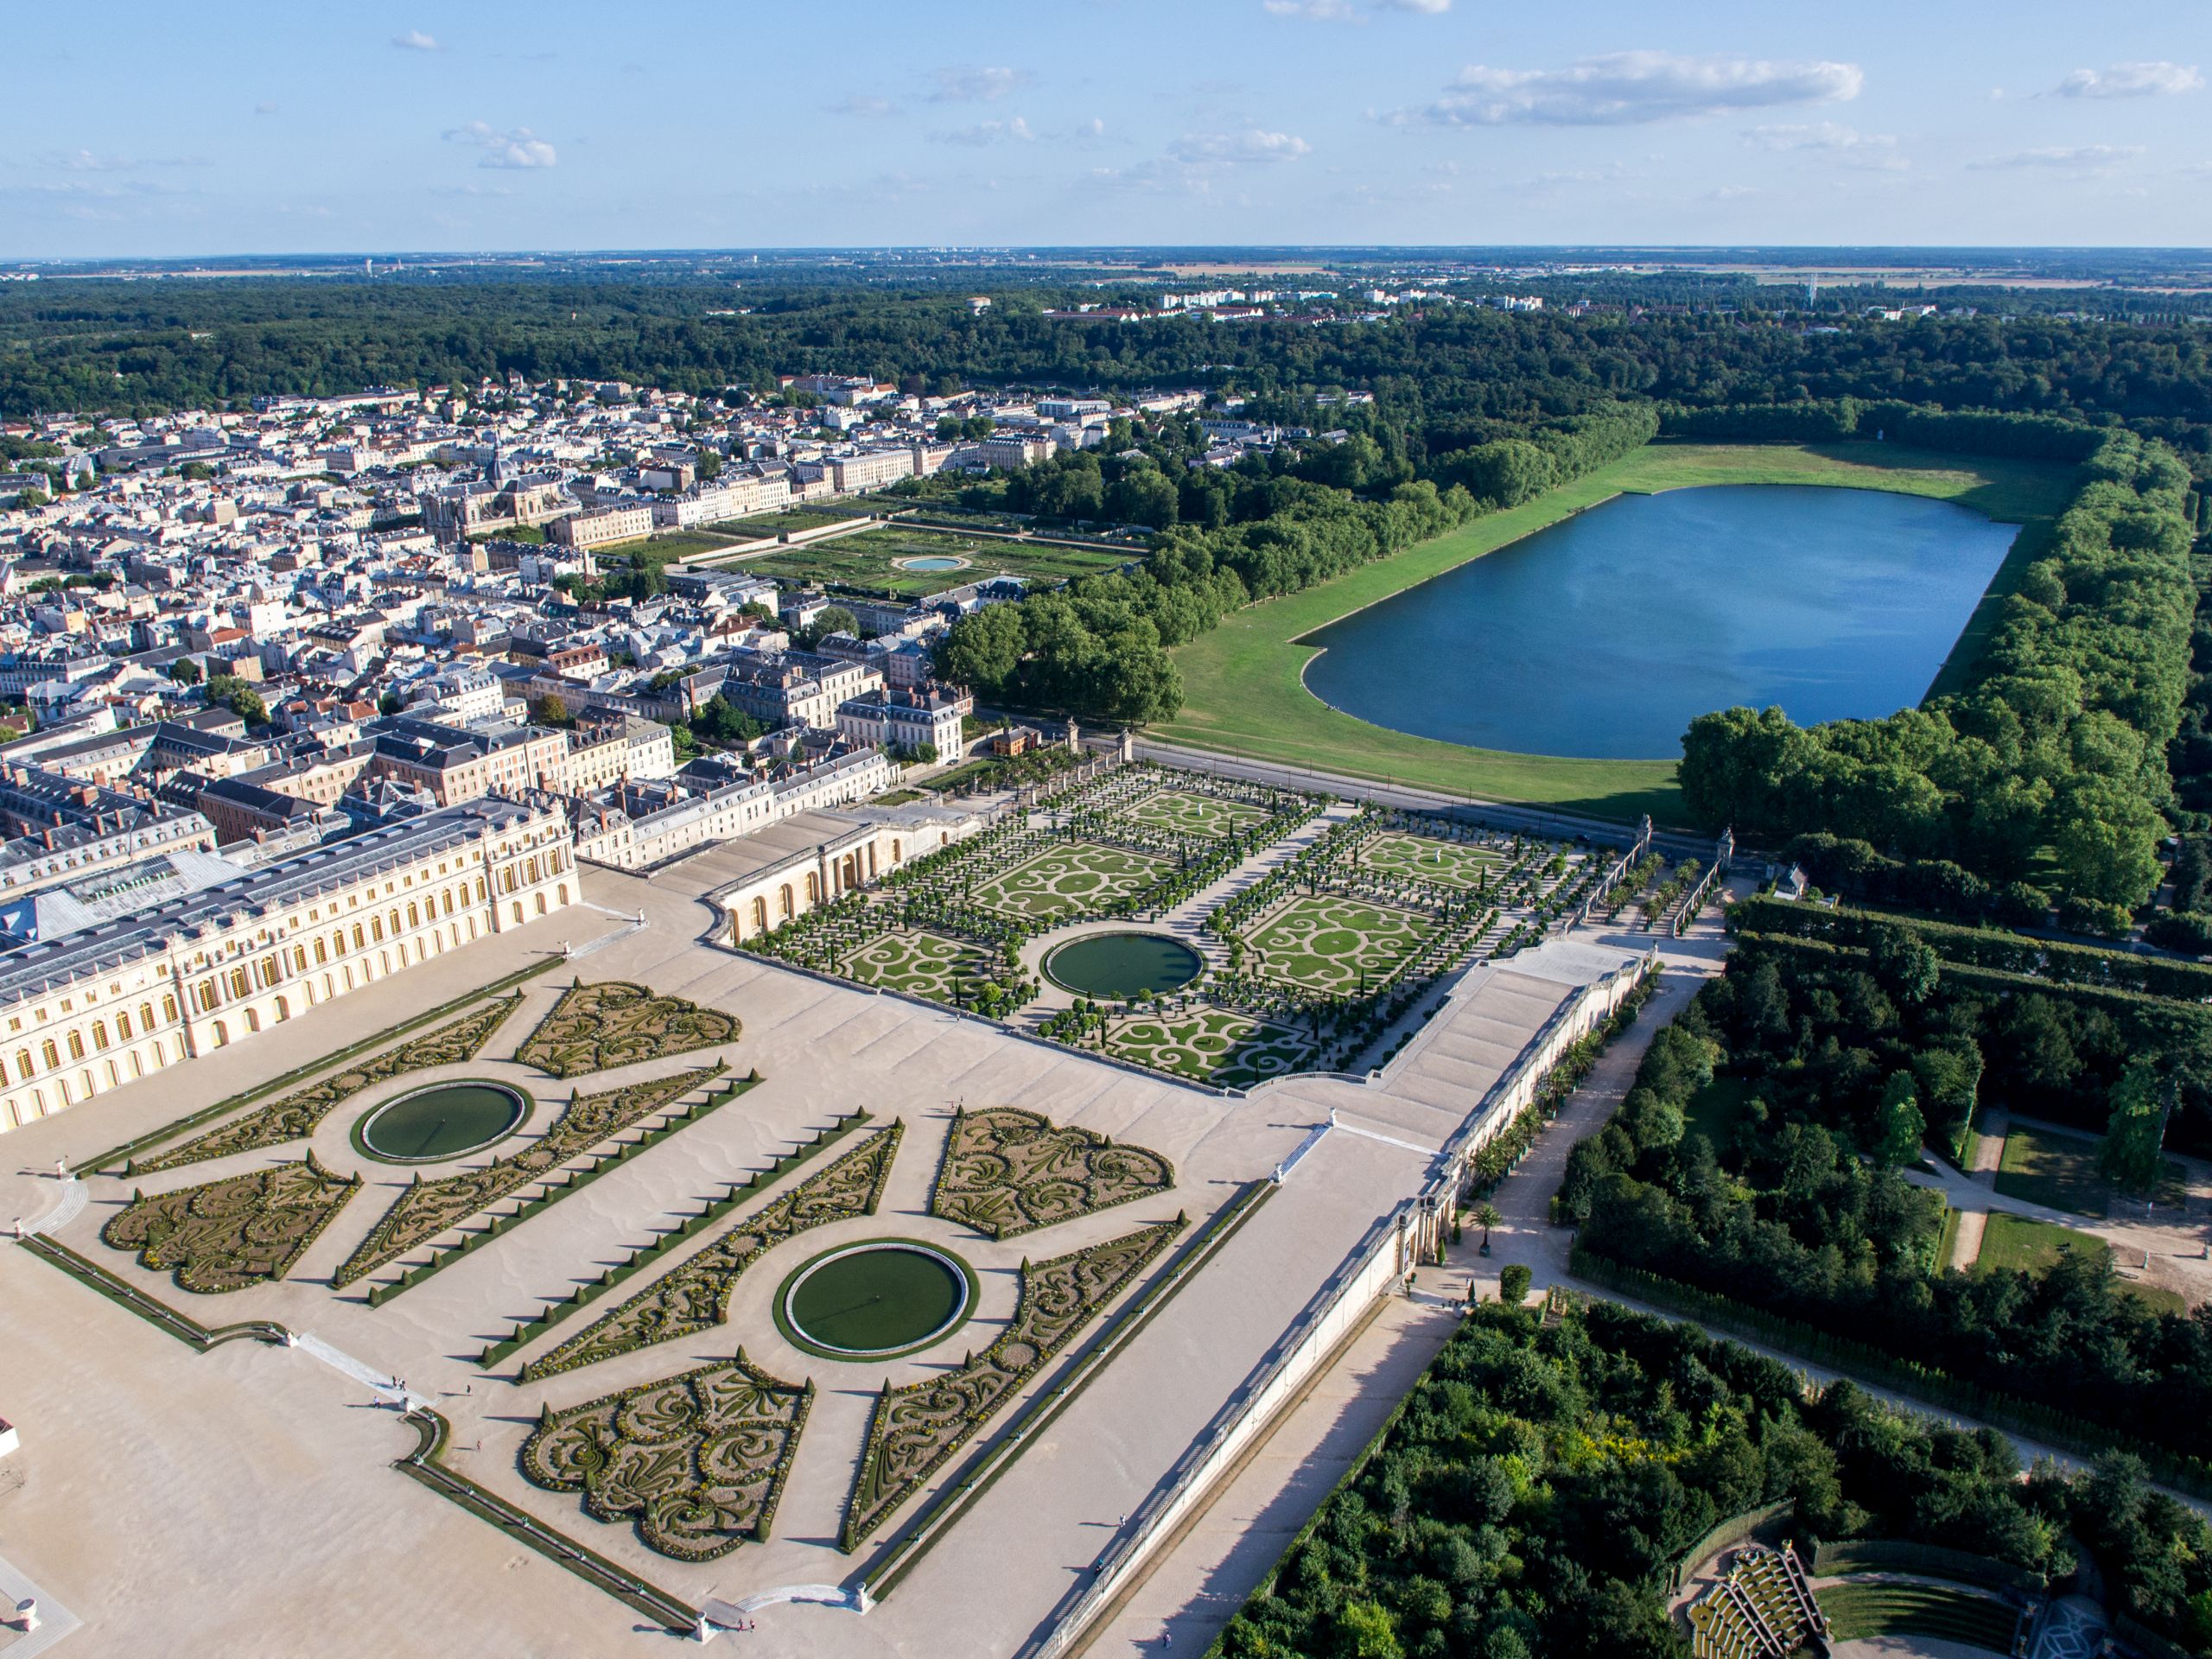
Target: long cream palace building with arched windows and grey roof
[{"x": 147, "y": 990}]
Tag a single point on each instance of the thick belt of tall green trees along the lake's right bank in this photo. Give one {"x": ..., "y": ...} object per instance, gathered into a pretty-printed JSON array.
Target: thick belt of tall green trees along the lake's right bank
[{"x": 2063, "y": 742}]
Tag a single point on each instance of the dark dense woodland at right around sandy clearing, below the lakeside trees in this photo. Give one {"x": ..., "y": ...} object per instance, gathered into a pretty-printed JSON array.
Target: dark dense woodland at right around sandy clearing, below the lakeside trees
[{"x": 1757, "y": 1158}]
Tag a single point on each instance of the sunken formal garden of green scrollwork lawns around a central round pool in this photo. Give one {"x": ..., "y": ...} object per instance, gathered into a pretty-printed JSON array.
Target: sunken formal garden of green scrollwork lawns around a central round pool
[{"x": 1326, "y": 924}]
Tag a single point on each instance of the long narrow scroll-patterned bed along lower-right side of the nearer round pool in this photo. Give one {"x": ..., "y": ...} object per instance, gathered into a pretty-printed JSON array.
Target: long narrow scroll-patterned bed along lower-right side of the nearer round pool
[{"x": 919, "y": 1428}]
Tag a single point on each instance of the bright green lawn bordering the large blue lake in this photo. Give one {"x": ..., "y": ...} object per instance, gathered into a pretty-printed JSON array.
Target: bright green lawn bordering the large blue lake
[{"x": 1242, "y": 682}]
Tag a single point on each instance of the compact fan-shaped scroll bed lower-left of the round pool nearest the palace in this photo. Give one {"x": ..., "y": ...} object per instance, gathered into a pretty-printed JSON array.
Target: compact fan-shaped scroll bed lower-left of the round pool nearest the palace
[{"x": 236, "y": 1233}]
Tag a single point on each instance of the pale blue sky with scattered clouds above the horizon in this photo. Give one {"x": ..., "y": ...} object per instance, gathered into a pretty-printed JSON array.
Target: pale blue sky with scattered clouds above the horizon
[{"x": 249, "y": 129}]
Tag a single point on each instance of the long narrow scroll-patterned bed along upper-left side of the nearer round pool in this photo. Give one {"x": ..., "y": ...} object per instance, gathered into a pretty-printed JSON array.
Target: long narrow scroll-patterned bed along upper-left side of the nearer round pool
[{"x": 696, "y": 1295}]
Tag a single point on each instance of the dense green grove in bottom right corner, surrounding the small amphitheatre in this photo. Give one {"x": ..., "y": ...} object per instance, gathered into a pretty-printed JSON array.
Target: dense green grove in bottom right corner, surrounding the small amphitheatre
[{"x": 1545, "y": 1479}]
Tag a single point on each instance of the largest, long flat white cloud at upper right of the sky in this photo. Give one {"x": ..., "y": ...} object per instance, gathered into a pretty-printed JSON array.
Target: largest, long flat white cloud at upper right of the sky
[{"x": 1631, "y": 87}]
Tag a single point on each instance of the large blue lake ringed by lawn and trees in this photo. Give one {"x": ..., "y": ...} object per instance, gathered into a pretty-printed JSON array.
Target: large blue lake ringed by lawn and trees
[{"x": 1609, "y": 634}]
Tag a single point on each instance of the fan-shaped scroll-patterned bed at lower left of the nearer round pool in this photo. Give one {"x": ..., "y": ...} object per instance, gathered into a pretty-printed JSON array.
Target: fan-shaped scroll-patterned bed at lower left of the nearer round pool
[{"x": 698, "y": 1459}]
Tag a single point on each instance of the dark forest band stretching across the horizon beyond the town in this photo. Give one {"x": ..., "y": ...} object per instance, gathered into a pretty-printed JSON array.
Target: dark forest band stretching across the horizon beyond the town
[{"x": 1457, "y": 373}]
